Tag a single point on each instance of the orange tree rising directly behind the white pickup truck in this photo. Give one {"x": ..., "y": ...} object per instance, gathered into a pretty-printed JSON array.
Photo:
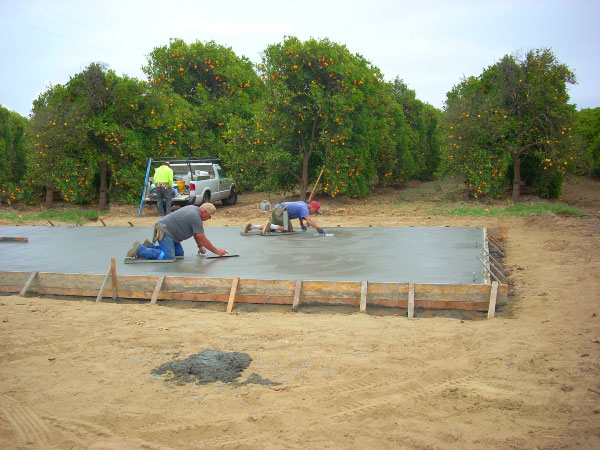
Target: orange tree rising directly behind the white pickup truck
[{"x": 216, "y": 83}]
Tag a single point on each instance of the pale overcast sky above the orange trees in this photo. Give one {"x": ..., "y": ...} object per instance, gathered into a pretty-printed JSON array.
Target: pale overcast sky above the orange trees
[{"x": 429, "y": 44}]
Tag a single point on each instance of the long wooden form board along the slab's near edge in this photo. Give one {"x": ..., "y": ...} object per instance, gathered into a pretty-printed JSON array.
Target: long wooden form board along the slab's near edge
[{"x": 281, "y": 292}]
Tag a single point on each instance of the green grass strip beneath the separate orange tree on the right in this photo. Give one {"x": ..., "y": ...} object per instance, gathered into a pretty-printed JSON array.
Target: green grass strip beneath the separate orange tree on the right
[{"x": 512, "y": 210}]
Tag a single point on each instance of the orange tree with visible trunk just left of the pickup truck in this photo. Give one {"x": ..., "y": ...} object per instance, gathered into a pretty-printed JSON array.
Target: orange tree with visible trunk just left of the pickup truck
[{"x": 87, "y": 138}]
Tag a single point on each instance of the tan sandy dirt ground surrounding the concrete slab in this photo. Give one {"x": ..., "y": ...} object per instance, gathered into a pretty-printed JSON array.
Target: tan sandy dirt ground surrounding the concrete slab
[{"x": 77, "y": 374}]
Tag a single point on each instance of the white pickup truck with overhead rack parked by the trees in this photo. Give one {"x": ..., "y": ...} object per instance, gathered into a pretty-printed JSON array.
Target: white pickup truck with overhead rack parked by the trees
[{"x": 195, "y": 182}]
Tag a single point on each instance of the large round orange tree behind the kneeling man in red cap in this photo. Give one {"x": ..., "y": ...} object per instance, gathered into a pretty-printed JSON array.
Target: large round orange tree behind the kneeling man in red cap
[{"x": 323, "y": 109}]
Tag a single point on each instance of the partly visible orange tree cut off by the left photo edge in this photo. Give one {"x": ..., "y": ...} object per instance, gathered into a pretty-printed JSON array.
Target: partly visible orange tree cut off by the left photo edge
[{"x": 12, "y": 154}]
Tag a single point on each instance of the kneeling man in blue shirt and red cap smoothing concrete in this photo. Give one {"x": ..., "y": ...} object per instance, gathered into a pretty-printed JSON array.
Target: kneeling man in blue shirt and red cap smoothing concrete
[{"x": 284, "y": 212}]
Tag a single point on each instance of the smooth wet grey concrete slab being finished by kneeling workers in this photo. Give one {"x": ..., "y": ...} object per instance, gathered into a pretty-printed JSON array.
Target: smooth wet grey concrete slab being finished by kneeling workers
[{"x": 390, "y": 254}]
